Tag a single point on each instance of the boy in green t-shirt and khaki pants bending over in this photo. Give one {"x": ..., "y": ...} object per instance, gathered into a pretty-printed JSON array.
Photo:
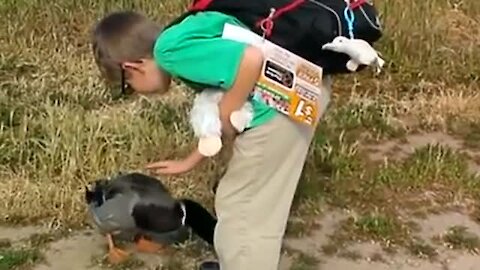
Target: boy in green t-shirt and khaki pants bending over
[{"x": 253, "y": 198}]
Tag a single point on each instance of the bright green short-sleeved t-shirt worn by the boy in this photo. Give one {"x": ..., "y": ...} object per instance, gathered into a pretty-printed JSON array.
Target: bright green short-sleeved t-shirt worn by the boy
[{"x": 195, "y": 52}]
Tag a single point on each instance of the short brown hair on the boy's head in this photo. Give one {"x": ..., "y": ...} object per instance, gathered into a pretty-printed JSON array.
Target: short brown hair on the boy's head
[{"x": 122, "y": 36}]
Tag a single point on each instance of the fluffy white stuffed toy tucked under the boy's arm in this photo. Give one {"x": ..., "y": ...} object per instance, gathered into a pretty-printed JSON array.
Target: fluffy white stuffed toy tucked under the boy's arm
[{"x": 206, "y": 124}]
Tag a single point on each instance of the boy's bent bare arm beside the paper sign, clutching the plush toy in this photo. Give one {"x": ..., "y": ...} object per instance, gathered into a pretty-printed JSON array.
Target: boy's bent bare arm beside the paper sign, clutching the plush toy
[{"x": 247, "y": 76}]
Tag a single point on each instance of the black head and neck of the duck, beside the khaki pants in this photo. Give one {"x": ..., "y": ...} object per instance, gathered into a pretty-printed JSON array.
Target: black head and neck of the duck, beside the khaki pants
[{"x": 200, "y": 220}]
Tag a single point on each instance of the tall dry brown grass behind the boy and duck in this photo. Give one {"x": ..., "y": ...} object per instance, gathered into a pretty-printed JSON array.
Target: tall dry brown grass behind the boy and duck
[{"x": 59, "y": 127}]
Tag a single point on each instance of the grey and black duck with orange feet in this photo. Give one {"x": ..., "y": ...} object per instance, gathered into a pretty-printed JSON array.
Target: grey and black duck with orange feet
[{"x": 139, "y": 207}]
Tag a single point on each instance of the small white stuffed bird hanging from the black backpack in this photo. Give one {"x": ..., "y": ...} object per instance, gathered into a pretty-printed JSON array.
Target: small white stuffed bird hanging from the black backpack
[{"x": 360, "y": 52}]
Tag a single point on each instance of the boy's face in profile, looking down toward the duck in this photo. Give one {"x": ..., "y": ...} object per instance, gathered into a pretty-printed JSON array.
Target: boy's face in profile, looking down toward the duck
[{"x": 145, "y": 77}]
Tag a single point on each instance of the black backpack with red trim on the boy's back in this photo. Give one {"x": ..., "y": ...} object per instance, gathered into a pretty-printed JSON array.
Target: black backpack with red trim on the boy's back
[{"x": 301, "y": 26}]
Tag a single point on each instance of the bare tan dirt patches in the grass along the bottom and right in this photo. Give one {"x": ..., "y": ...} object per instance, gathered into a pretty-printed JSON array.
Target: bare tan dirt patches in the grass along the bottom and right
[{"x": 76, "y": 251}]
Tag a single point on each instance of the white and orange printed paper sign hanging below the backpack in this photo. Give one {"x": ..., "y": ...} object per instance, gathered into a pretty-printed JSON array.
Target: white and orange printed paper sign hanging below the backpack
[{"x": 289, "y": 83}]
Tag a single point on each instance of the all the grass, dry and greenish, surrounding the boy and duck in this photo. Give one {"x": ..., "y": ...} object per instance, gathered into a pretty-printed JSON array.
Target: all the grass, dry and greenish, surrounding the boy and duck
[{"x": 61, "y": 128}]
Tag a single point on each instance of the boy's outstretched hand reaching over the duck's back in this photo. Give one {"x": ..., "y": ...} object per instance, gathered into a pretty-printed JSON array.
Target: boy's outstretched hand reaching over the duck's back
[{"x": 173, "y": 167}]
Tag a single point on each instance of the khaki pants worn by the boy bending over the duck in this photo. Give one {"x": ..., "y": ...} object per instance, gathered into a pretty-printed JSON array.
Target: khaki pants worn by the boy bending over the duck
[{"x": 254, "y": 197}]
